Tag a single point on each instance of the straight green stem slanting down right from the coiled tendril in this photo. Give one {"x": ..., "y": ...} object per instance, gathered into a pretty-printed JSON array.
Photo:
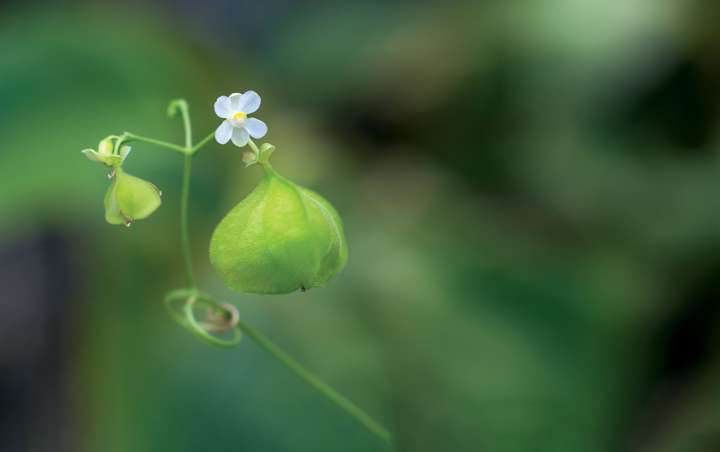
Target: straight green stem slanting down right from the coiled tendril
[{"x": 319, "y": 385}]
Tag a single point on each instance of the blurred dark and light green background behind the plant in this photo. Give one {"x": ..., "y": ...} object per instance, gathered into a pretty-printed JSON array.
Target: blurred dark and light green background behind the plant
[{"x": 530, "y": 195}]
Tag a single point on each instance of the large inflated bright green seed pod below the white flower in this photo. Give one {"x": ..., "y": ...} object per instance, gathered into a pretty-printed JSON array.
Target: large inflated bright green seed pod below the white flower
[{"x": 280, "y": 238}]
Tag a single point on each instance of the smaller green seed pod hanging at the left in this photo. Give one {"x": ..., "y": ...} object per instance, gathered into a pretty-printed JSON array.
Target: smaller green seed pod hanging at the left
[{"x": 130, "y": 198}]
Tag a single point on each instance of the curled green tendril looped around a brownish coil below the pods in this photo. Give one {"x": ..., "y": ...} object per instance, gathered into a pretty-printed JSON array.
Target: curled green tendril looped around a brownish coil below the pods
[{"x": 219, "y": 318}]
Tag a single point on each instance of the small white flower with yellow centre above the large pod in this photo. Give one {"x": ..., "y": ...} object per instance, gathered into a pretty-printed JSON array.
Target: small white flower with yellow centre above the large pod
[{"x": 234, "y": 109}]
